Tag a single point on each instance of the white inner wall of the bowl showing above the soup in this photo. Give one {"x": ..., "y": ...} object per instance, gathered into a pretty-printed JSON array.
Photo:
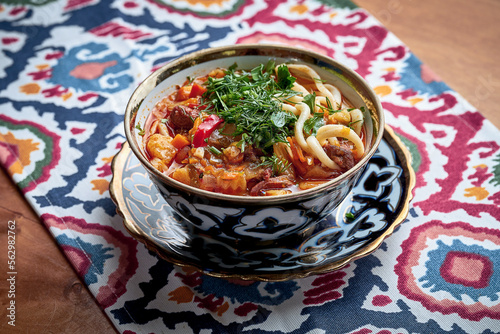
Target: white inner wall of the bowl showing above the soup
[{"x": 165, "y": 80}]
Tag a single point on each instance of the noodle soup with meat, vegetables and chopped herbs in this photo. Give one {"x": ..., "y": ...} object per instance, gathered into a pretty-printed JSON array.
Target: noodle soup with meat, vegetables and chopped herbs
[{"x": 267, "y": 131}]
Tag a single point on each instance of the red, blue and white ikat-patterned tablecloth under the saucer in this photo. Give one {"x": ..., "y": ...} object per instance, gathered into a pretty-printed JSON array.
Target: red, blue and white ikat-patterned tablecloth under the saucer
[{"x": 67, "y": 69}]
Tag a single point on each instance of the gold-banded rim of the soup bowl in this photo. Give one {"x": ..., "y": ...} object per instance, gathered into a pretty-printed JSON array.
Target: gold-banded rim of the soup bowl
[{"x": 353, "y": 79}]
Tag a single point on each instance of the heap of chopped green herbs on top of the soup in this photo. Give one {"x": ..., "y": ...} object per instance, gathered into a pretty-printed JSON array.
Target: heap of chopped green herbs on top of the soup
[{"x": 252, "y": 101}]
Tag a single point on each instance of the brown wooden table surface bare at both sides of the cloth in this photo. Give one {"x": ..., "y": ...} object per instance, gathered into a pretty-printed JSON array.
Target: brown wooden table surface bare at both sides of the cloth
[{"x": 458, "y": 39}]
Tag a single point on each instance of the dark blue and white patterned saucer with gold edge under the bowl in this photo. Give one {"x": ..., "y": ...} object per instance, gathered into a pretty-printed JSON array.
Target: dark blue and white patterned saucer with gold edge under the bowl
[{"x": 379, "y": 203}]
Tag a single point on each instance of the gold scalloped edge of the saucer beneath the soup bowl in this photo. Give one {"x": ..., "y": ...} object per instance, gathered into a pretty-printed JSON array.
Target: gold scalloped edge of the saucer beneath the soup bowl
[{"x": 136, "y": 232}]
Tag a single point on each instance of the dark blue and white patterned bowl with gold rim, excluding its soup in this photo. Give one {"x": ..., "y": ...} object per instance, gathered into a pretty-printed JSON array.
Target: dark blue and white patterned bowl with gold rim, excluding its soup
[{"x": 249, "y": 221}]
